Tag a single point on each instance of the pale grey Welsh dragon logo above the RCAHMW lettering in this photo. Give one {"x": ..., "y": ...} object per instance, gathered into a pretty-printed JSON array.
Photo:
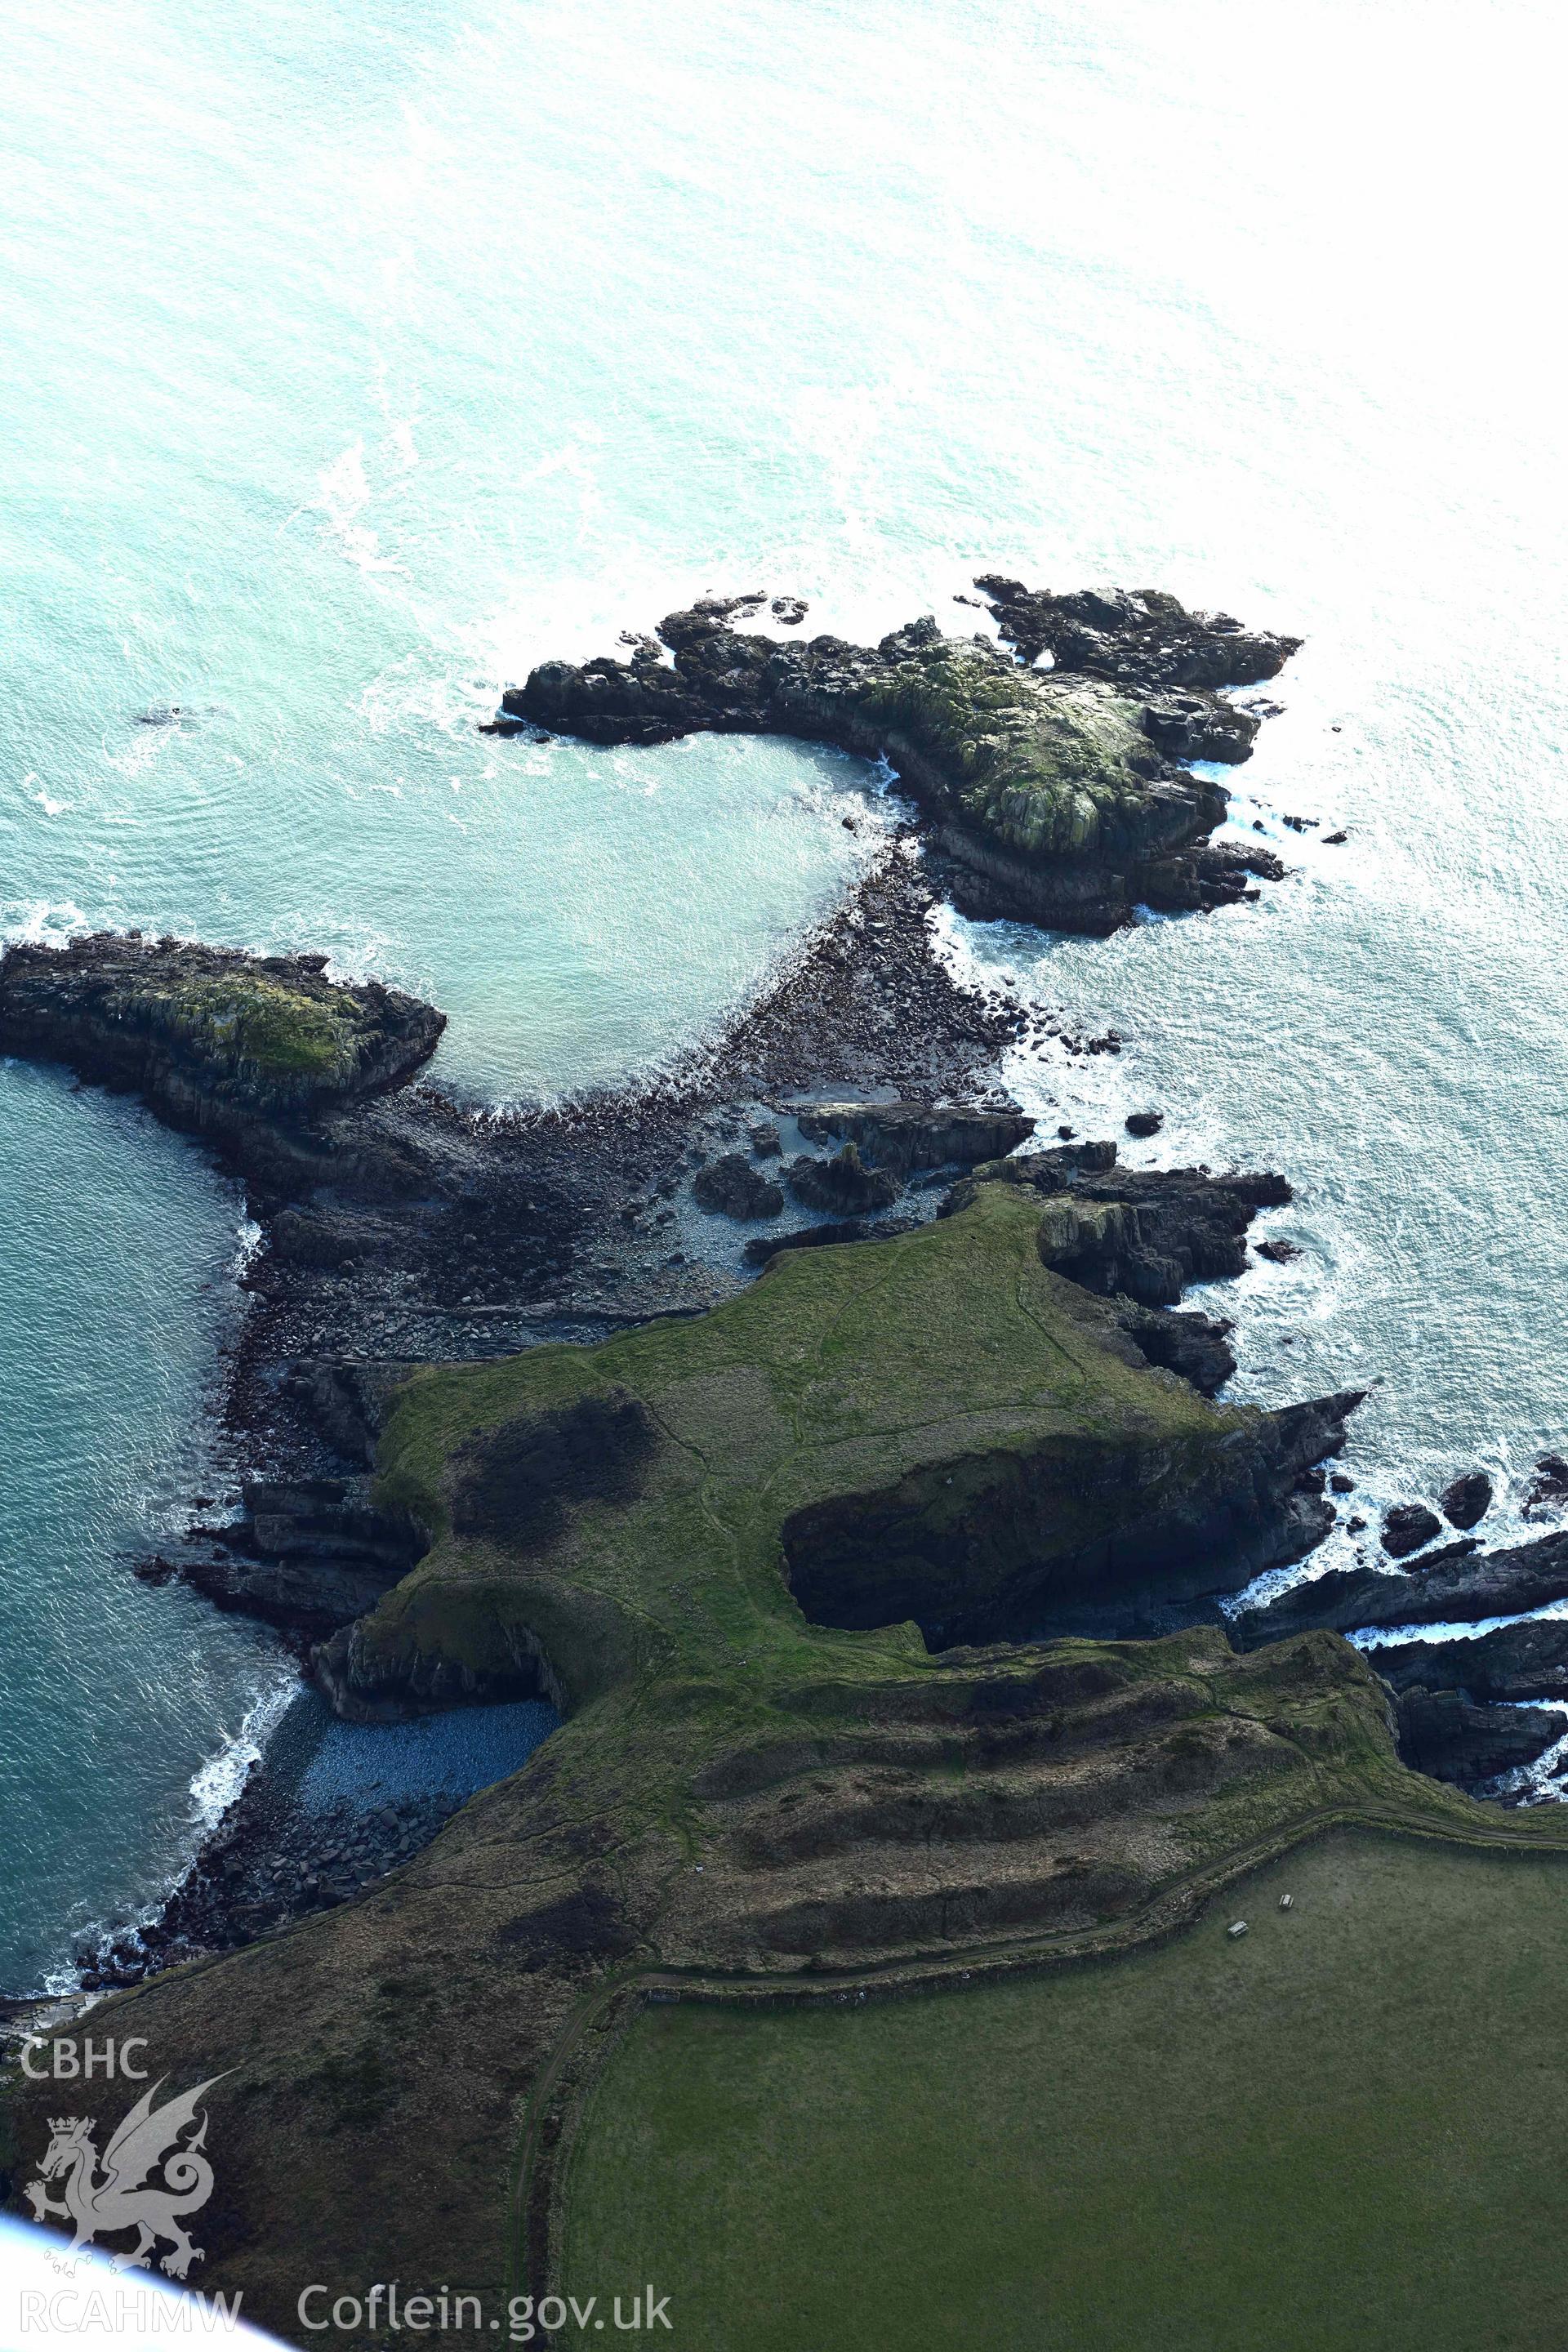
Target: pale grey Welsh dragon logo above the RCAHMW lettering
[{"x": 126, "y": 2193}]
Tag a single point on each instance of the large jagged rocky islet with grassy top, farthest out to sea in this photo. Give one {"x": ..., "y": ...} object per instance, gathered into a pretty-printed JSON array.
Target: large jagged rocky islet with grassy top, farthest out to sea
[{"x": 1057, "y": 796}]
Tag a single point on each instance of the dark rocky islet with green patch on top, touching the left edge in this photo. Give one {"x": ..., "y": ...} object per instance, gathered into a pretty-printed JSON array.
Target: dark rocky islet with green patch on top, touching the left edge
[{"x": 227, "y": 1045}]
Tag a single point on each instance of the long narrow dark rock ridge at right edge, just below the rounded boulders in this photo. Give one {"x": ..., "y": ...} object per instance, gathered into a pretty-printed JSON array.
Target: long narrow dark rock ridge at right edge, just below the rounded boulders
[{"x": 1456, "y": 1584}]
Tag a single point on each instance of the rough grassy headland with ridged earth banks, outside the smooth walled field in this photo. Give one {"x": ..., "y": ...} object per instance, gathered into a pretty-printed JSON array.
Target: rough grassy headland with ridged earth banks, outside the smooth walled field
[{"x": 852, "y": 1803}]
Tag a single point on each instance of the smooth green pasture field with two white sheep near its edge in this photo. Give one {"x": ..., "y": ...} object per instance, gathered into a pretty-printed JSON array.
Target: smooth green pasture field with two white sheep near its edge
[{"x": 1346, "y": 2130}]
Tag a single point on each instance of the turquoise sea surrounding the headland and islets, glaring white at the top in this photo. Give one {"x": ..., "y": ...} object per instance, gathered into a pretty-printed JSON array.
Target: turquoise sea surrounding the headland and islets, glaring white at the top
[{"x": 354, "y": 359}]
